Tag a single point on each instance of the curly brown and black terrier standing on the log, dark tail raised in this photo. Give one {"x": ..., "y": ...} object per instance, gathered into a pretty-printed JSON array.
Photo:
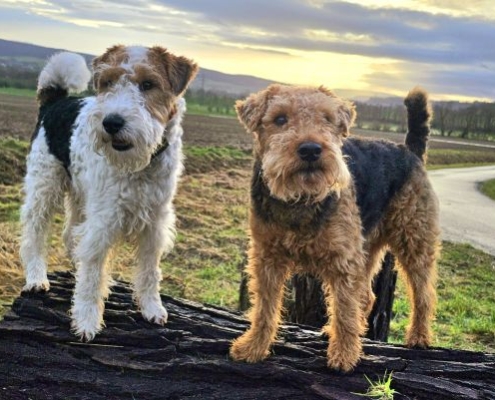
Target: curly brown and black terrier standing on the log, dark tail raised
[{"x": 330, "y": 205}]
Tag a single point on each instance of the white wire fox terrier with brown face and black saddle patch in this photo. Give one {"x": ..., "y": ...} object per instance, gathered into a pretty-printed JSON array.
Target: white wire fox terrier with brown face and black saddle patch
[{"x": 115, "y": 158}]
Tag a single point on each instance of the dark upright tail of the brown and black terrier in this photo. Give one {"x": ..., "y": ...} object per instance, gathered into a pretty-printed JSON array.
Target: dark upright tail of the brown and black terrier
[{"x": 419, "y": 114}]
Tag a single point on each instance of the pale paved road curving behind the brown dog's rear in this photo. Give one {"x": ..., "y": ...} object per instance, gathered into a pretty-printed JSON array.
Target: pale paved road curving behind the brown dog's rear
[{"x": 466, "y": 215}]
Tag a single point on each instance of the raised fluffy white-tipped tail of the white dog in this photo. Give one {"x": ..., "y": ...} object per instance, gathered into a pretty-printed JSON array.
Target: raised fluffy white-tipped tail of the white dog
[{"x": 65, "y": 72}]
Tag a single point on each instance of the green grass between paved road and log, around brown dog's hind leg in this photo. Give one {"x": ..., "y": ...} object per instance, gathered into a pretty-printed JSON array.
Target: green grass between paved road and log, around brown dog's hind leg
[{"x": 466, "y": 305}]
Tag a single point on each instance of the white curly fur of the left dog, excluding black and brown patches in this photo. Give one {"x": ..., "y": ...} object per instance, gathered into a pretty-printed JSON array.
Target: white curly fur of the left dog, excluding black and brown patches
[{"x": 109, "y": 196}]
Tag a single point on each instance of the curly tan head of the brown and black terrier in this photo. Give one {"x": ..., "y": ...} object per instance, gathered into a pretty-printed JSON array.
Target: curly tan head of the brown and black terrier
[{"x": 285, "y": 122}]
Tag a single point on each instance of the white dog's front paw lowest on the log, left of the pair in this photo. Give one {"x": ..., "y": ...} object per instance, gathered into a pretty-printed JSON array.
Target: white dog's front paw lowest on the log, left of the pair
[{"x": 87, "y": 320}]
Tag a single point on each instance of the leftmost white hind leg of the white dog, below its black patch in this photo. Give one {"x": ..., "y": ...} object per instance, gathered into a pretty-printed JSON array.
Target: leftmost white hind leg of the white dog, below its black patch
[{"x": 44, "y": 187}]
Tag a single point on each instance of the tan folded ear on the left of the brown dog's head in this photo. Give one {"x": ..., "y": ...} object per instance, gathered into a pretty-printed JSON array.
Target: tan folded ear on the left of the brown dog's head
[{"x": 251, "y": 110}]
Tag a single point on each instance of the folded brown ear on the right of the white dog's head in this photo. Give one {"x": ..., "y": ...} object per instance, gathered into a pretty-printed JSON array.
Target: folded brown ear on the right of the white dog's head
[{"x": 180, "y": 71}]
